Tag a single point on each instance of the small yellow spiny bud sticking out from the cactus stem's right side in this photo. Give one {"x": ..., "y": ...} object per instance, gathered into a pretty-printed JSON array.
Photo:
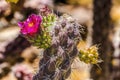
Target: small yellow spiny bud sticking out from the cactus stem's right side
[{"x": 89, "y": 55}]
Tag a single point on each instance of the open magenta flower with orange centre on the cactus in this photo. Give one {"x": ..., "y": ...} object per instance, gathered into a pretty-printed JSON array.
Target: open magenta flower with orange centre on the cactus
[{"x": 31, "y": 26}]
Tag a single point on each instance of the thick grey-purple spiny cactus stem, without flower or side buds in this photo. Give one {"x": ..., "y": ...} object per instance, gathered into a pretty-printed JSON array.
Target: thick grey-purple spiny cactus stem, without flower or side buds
[{"x": 57, "y": 59}]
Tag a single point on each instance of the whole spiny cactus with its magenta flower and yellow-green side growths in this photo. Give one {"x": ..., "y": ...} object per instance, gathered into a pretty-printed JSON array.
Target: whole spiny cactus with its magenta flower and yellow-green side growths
[{"x": 59, "y": 37}]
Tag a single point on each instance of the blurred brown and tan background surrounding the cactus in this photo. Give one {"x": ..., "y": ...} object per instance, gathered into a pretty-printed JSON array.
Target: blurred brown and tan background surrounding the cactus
[{"x": 101, "y": 21}]
